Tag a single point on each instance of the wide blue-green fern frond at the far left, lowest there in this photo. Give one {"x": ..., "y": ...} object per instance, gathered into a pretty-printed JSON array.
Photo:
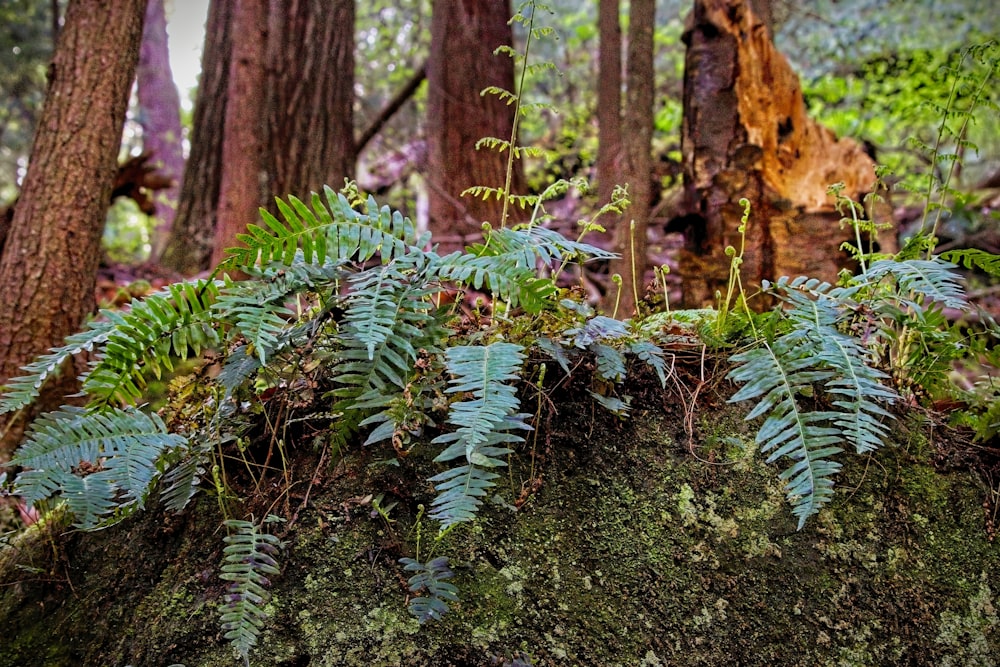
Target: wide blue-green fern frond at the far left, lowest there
[{"x": 120, "y": 449}]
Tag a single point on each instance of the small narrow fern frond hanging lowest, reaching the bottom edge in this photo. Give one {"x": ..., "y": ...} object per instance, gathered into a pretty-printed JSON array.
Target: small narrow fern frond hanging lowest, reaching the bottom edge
[{"x": 250, "y": 554}]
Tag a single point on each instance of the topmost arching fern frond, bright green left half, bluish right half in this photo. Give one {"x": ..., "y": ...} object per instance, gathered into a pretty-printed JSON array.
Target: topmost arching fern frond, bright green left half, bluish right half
[{"x": 321, "y": 230}]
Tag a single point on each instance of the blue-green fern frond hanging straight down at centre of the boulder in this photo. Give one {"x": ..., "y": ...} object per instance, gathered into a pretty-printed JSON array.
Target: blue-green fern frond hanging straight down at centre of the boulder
[{"x": 484, "y": 427}]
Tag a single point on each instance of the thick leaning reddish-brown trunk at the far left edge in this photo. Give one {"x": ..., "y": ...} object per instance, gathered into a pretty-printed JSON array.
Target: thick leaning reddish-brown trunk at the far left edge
[{"x": 49, "y": 264}]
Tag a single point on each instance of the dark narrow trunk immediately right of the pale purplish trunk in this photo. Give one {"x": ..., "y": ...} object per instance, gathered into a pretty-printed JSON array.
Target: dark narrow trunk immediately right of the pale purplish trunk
[{"x": 189, "y": 247}]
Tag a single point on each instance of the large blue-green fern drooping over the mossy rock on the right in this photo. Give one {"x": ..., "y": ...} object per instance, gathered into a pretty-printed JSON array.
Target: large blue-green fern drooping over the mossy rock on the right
[{"x": 814, "y": 352}]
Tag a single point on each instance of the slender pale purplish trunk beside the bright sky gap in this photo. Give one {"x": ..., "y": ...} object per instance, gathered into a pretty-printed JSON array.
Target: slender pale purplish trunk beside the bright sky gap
[{"x": 160, "y": 116}]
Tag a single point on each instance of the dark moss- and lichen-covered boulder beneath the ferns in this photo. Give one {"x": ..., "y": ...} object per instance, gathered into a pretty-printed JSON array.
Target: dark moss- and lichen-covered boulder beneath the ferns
[{"x": 661, "y": 539}]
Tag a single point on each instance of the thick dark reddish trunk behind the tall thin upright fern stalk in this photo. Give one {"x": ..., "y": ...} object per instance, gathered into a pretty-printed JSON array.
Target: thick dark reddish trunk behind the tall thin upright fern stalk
[{"x": 464, "y": 34}]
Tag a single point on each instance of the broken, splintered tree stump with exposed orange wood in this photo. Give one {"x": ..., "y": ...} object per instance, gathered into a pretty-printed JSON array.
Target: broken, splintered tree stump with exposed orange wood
[{"x": 746, "y": 135}]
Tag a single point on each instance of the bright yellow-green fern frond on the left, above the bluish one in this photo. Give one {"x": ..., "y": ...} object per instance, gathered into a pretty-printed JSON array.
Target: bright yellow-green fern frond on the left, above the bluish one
[{"x": 175, "y": 322}]
